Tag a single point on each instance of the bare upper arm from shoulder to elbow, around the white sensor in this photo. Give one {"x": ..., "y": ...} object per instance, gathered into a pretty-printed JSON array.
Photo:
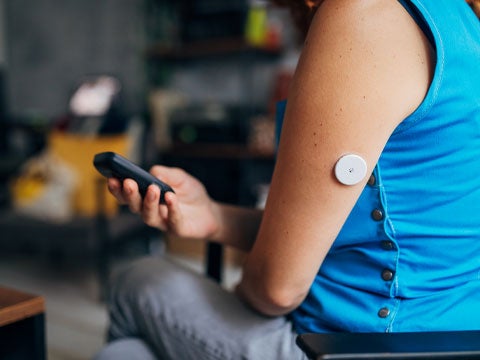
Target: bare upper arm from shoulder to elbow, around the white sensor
[{"x": 364, "y": 68}]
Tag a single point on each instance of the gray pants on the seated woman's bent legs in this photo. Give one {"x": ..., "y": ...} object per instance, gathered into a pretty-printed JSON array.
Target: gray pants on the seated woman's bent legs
[{"x": 160, "y": 310}]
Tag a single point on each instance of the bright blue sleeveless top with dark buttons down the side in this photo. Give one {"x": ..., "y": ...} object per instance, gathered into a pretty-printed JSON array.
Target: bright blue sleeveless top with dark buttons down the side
[{"x": 408, "y": 256}]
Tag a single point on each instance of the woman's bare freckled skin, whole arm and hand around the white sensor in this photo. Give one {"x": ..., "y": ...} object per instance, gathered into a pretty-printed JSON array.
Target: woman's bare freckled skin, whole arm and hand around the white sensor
[{"x": 364, "y": 67}]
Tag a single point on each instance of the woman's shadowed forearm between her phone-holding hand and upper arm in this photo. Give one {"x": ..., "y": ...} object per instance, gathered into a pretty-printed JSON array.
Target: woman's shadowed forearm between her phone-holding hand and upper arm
[{"x": 238, "y": 226}]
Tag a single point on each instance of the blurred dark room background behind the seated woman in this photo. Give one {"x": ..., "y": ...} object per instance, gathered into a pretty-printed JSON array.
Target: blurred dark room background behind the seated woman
[{"x": 189, "y": 83}]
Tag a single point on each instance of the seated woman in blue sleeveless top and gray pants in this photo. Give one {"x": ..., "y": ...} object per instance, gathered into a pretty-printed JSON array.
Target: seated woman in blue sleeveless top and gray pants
[{"x": 387, "y": 88}]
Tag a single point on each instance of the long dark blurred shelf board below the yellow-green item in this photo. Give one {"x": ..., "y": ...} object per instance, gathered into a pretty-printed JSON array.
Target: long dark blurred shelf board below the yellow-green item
[{"x": 204, "y": 49}]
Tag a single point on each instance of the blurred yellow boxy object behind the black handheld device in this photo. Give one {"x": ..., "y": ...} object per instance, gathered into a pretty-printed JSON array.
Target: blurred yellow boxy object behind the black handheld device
[{"x": 91, "y": 195}]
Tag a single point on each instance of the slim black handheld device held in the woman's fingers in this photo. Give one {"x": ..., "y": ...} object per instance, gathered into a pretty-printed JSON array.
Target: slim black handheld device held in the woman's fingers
[{"x": 111, "y": 164}]
